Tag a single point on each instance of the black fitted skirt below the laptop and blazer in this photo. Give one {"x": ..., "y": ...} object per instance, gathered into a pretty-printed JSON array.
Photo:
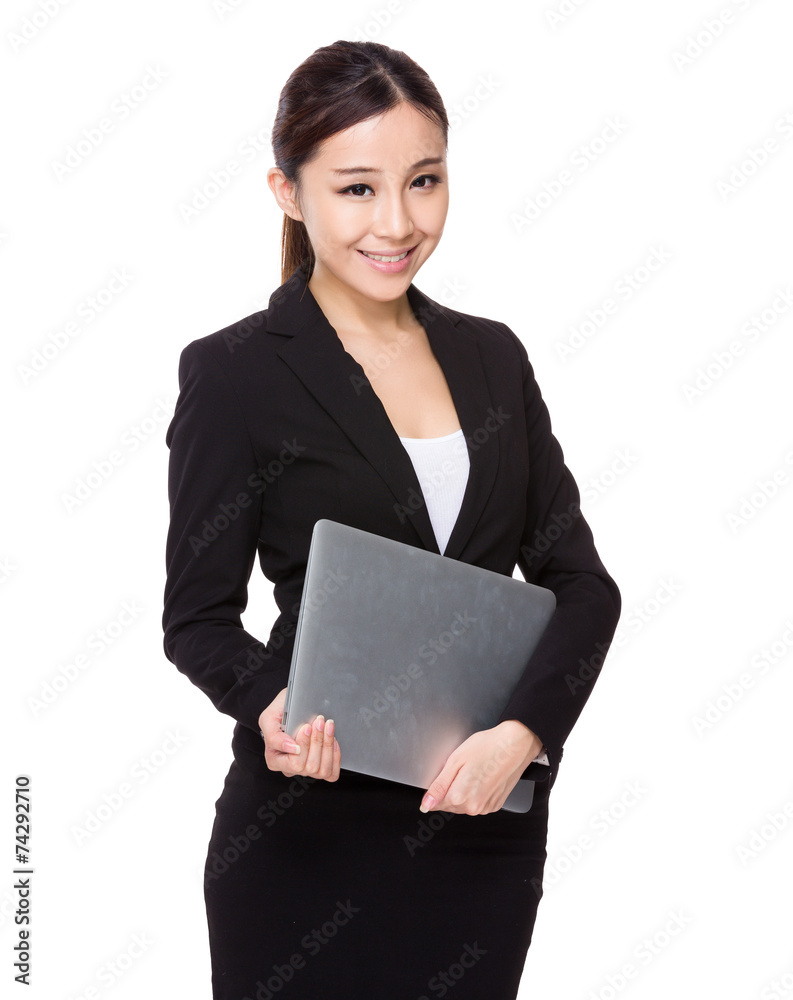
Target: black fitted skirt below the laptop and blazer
[{"x": 345, "y": 890}]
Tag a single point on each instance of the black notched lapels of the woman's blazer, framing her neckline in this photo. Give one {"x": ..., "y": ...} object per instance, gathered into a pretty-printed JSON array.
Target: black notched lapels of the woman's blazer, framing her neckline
[{"x": 317, "y": 356}]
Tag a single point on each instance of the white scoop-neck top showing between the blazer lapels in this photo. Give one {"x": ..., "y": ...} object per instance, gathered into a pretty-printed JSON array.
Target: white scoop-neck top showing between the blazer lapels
[{"x": 442, "y": 466}]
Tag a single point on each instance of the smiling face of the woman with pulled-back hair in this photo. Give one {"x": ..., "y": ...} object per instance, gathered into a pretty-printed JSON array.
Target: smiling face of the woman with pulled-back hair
[{"x": 381, "y": 187}]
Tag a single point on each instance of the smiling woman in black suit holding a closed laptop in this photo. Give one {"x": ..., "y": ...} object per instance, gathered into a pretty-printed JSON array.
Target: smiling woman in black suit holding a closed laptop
[{"x": 356, "y": 397}]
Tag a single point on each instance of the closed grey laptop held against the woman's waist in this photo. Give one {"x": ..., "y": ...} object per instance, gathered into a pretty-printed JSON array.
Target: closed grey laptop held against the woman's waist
[{"x": 409, "y": 652}]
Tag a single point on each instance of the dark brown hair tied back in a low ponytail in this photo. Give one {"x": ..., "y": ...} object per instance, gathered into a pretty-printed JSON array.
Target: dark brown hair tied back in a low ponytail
[{"x": 336, "y": 87}]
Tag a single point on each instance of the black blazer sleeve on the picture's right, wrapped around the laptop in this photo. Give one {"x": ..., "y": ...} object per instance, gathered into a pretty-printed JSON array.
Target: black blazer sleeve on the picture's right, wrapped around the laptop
[{"x": 558, "y": 552}]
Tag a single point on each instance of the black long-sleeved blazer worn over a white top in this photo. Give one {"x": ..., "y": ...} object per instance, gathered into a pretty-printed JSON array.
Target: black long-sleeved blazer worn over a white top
[{"x": 276, "y": 426}]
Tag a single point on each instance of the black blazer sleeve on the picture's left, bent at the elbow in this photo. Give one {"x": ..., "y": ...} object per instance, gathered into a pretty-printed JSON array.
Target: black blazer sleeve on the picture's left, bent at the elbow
[{"x": 212, "y": 543}]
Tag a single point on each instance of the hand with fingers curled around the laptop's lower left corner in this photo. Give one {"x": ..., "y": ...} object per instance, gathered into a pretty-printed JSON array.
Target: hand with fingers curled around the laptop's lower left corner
[{"x": 315, "y": 752}]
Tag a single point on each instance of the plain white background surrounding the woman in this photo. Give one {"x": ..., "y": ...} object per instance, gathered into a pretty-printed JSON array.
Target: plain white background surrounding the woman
[{"x": 655, "y": 814}]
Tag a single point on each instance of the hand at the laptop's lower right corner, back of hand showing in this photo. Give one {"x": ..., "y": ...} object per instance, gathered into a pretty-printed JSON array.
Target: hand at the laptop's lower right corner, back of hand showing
[{"x": 479, "y": 775}]
